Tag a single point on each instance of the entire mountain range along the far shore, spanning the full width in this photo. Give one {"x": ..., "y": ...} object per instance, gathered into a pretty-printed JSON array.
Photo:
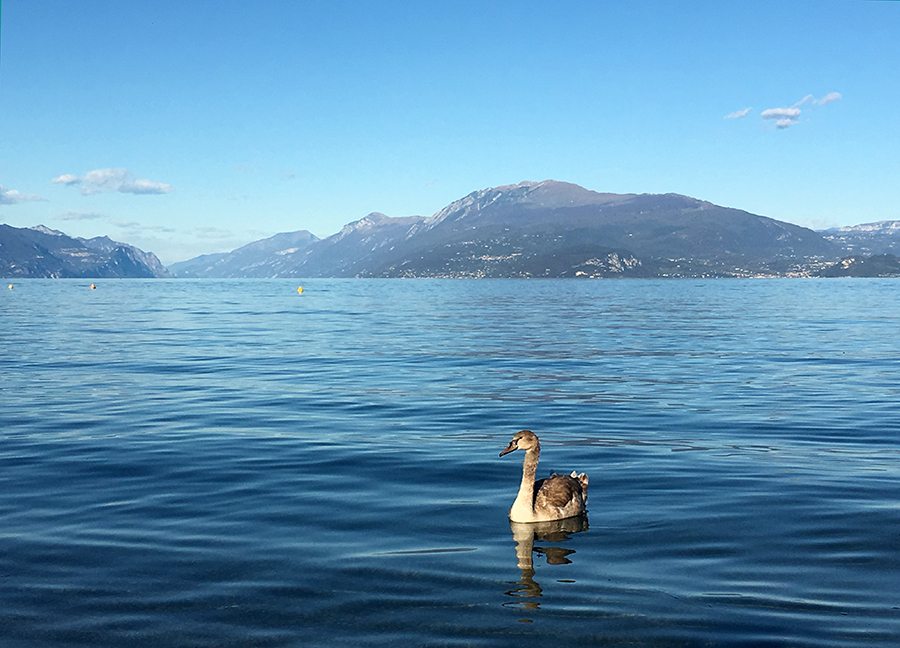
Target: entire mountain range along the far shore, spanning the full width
[{"x": 532, "y": 229}]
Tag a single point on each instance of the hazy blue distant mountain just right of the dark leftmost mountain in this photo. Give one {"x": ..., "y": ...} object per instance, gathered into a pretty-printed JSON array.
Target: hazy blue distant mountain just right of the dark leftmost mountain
[{"x": 266, "y": 258}]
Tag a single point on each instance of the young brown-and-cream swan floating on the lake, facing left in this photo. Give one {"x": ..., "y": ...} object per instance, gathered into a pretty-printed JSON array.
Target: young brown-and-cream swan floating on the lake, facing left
[{"x": 554, "y": 498}]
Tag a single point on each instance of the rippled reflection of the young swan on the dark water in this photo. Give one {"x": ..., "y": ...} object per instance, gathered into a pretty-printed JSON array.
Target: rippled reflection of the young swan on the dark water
[{"x": 526, "y": 534}]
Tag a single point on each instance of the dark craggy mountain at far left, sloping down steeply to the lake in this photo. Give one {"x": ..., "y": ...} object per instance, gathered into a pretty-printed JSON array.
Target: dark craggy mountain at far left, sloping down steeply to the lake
[{"x": 43, "y": 252}]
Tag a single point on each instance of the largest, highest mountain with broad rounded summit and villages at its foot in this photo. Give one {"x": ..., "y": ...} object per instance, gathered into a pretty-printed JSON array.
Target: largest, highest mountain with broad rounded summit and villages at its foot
[{"x": 555, "y": 229}]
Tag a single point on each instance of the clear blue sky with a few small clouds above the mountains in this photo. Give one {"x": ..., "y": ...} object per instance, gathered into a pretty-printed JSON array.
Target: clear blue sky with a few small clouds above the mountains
[{"x": 193, "y": 127}]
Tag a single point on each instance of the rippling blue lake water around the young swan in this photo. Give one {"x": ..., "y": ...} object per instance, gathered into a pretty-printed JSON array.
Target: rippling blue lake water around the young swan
[{"x": 231, "y": 463}]
